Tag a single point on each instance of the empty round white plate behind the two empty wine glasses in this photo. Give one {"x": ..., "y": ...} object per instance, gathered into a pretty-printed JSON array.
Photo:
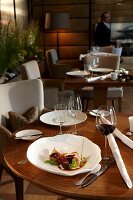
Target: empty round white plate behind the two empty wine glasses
[{"x": 50, "y": 118}]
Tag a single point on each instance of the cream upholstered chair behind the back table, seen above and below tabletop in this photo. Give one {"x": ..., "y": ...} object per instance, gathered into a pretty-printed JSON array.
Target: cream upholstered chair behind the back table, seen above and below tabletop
[{"x": 114, "y": 93}]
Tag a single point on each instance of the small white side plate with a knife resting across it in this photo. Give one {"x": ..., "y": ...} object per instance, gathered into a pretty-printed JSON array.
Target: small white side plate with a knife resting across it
[{"x": 28, "y": 134}]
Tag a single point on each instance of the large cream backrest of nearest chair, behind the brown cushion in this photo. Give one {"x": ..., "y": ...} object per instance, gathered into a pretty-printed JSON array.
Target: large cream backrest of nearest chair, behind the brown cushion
[{"x": 20, "y": 96}]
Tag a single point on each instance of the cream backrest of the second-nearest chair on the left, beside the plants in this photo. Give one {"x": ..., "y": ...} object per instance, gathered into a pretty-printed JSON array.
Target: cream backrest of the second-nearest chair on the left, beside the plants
[{"x": 30, "y": 70}]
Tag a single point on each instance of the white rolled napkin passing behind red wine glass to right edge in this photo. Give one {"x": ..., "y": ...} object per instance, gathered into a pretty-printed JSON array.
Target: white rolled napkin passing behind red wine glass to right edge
[{"x": 120, "y": 135}]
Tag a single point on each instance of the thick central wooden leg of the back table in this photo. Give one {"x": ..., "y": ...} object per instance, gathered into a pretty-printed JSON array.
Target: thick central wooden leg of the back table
[{"x": 100, "y": 96}]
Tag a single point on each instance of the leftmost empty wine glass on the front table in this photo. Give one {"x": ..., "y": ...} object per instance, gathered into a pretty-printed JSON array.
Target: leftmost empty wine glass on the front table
[{"x": 61, "y": 115}]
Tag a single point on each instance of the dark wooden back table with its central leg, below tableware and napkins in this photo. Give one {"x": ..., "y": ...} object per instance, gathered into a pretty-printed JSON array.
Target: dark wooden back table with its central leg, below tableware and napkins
[{"x": 100, "y": 87}]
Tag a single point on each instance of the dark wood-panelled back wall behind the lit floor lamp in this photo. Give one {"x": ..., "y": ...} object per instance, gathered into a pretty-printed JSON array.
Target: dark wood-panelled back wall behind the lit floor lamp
[{"x": 79, "y": 38}]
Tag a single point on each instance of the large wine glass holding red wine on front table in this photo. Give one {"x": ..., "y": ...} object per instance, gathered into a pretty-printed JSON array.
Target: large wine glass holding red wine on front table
[{"x": 105, "y": 123}]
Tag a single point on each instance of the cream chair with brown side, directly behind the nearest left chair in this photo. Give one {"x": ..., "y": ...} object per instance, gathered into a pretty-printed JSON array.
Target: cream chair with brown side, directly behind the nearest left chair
[{"x": 53, "y": 88}]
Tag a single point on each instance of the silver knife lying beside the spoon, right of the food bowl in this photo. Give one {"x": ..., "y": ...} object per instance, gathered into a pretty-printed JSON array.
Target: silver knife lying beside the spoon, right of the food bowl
[{"x": 95, "y": 176}]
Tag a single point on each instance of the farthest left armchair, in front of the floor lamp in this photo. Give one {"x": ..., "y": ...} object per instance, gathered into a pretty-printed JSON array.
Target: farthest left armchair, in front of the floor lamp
[{"x": 55, "y": 68}]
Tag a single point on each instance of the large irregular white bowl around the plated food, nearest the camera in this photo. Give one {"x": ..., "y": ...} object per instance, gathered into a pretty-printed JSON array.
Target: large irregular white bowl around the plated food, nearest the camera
[{"x": 40, "y": 150}]
